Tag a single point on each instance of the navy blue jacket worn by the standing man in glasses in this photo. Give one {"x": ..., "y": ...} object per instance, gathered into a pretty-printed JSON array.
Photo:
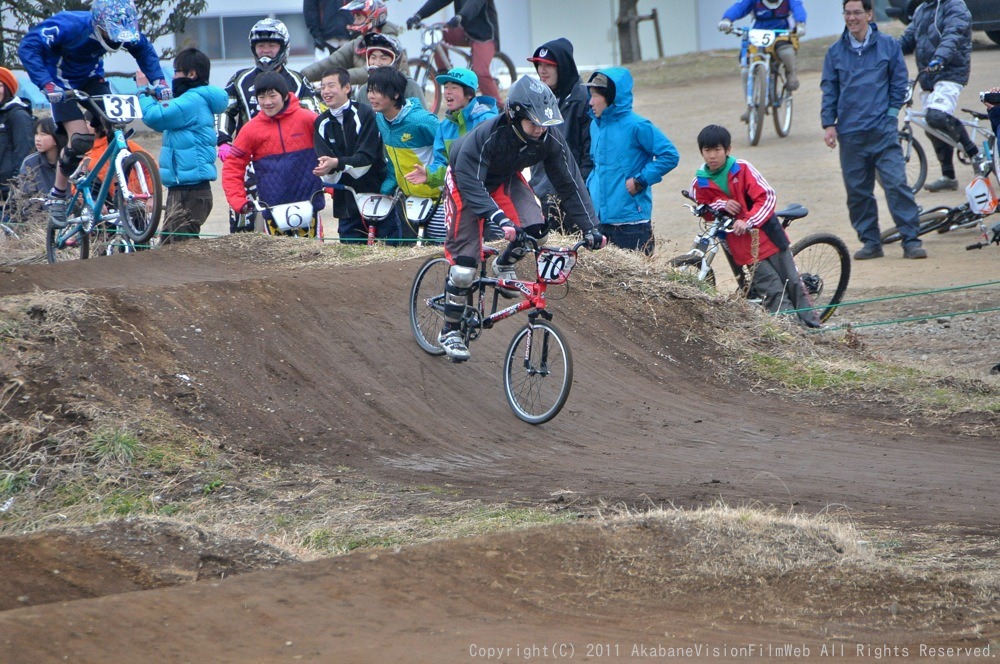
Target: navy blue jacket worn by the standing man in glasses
[{"x": 863, "y": 90}]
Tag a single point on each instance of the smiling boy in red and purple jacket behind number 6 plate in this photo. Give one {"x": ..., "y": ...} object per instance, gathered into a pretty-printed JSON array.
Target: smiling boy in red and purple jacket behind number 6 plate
[{"x": 279, "y": 142}]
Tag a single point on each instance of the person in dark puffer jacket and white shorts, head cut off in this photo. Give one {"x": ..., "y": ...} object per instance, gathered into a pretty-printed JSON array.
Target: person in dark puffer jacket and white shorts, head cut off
[{"x": 940, "y": 34}]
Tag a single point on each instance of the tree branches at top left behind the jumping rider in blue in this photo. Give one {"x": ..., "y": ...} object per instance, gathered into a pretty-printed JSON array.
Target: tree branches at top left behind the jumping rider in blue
[{"x": 156, "y": 18}]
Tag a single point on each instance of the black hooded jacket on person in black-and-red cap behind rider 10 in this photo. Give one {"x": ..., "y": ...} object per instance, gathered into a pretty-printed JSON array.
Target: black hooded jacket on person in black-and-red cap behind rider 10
[{"x": 573, "y": 98}]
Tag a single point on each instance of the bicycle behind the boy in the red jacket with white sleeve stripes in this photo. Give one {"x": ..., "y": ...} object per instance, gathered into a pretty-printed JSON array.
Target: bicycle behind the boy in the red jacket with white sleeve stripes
[{"x": 822, "y": 259}]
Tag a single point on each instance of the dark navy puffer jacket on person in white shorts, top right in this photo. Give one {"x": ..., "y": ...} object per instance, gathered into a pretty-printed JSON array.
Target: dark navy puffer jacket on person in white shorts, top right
[{"x": 940, "y": 30}]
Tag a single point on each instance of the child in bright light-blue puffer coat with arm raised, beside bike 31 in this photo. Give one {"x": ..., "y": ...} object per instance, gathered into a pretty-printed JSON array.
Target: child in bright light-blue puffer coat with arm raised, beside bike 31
[{"x": 187, "y": 159}]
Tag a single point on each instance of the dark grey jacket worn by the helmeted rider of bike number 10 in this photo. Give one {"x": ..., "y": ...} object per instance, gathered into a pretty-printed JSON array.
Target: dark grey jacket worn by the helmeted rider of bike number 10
[{"x": 493, "y": 154}]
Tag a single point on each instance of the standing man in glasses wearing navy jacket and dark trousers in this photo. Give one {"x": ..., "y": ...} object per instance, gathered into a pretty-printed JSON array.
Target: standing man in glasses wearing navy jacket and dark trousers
[{"x": 864, "y": 85}]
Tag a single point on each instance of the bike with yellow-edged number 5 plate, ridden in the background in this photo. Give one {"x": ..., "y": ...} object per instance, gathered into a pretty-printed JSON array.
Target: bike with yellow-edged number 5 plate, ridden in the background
[{"x": 767, "y": 90}]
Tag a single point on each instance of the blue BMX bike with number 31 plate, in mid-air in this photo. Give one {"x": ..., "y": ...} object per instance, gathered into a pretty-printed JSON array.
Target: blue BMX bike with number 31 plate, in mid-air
[{"x": 109, "y": 222}]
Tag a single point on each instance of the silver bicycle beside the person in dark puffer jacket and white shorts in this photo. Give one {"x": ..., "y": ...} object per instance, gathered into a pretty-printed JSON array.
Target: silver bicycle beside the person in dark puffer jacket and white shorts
[{"x": 916, "y": 157}]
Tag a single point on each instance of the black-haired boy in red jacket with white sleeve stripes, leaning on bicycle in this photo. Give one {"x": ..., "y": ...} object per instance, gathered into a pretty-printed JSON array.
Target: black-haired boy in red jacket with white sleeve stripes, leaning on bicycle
[{"x": 757, "y": 240}]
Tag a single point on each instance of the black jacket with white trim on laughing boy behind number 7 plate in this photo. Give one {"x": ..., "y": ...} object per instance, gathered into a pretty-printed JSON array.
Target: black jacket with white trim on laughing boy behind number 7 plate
[{"x": 356, "y": 143}]
